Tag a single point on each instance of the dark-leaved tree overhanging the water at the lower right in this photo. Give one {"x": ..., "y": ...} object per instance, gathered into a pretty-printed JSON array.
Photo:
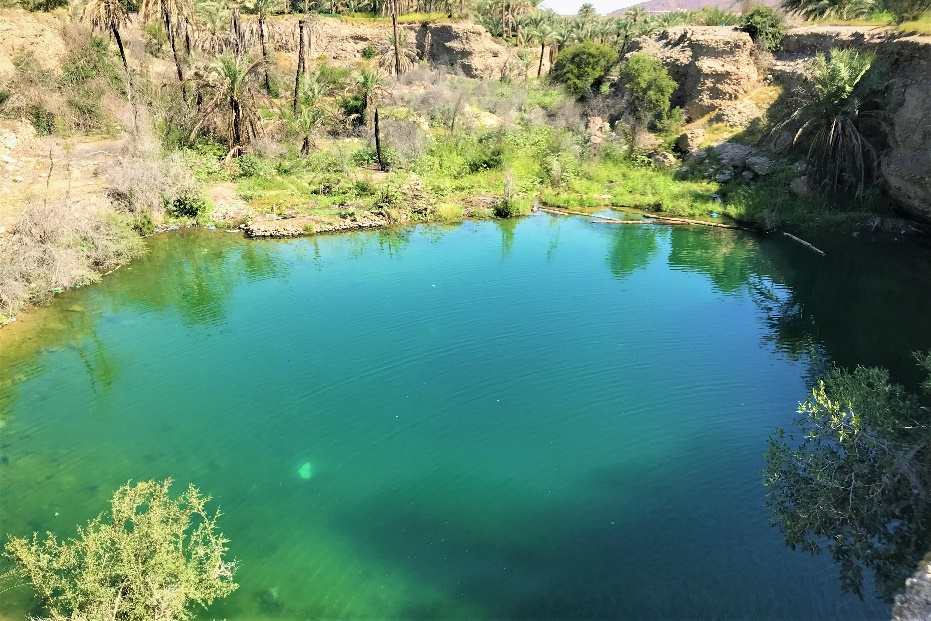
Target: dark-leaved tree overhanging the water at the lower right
[{"x": 853, "y": 478}]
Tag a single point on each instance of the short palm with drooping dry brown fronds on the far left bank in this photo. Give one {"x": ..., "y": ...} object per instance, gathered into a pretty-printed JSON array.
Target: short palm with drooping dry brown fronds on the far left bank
[{"x": 227, "y": 85}]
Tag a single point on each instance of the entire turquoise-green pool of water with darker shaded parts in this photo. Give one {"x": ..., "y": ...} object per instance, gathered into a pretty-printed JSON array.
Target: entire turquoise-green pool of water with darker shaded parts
[{"x": 538, "y": 419}]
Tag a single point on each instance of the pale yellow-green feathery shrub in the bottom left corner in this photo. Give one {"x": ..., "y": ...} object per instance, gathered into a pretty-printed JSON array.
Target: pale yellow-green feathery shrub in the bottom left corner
[{"x": 149, "y": 559}]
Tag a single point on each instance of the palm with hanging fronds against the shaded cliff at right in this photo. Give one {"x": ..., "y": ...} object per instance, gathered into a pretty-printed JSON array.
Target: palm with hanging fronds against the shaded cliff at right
[{"x": 844, "y": 121}]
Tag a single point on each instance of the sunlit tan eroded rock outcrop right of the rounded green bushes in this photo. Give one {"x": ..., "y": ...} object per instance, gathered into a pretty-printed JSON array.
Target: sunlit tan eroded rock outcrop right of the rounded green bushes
[{"x": 711, "y": 65}]
